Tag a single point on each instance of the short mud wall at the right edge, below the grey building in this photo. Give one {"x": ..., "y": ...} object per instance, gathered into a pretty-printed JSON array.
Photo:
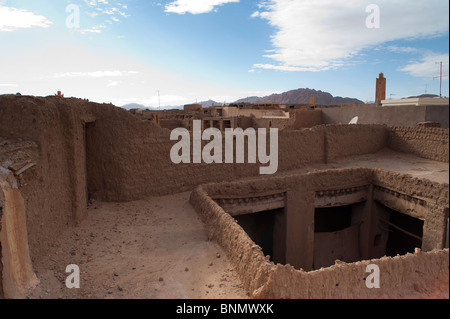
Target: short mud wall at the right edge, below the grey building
[{"x": 426, "y": 142}]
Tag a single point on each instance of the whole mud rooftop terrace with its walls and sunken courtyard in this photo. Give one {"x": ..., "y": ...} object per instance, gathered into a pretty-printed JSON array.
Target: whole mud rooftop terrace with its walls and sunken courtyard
[{"x": 91, "y": 185}]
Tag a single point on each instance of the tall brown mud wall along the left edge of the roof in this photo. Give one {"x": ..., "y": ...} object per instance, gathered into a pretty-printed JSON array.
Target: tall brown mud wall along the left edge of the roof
[{"x": 53, "y": 196}]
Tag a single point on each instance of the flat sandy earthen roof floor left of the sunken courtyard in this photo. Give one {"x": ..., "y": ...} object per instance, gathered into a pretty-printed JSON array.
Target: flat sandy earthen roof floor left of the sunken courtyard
[{"x": 149, "y": 249}]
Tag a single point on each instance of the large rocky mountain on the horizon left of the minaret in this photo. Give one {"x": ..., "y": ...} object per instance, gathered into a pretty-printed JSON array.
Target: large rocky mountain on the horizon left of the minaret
[{"x": 301, "y": 96}]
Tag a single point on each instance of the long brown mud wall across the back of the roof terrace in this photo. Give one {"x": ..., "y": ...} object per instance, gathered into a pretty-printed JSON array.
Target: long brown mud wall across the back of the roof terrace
[{"x": 142, "y": 166}]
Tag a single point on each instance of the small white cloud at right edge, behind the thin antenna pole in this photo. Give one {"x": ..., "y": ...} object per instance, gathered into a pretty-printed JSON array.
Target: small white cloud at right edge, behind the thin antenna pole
[{"x": 428, "y": 66}]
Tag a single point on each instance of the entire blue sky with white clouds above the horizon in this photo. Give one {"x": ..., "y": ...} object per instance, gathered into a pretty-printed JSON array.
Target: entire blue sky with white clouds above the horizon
[{"x": 178, "y": 52}]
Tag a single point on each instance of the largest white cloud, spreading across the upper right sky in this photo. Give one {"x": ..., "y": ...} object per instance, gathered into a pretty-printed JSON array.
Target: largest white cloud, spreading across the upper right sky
[{"x": 321, "y": 35}]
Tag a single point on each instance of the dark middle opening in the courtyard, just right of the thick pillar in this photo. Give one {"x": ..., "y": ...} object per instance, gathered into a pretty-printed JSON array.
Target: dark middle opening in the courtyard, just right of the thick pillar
[{"x": 333, "y": 219}]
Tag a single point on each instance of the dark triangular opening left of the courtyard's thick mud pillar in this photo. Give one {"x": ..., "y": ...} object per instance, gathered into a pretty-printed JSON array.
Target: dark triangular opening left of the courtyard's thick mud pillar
[{"x": 264, "y": 229}]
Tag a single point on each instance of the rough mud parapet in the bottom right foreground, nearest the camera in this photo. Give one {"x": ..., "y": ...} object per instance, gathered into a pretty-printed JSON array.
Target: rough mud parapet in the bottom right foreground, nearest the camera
[{"x": 408, "y": 276}]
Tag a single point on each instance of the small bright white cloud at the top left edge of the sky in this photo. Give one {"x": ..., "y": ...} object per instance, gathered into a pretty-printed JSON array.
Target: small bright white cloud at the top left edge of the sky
[{"x": 12, "y": 19}]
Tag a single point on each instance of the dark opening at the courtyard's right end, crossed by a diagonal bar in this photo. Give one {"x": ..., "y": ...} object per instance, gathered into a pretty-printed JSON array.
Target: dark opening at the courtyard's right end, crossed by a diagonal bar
[{"x": 405, "y": 233}]
